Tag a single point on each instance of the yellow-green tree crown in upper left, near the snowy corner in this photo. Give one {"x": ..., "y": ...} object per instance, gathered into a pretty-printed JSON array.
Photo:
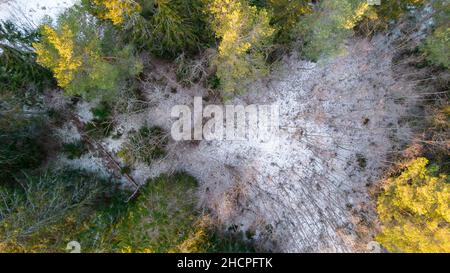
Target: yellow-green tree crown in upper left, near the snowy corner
[{"x": 85, "y": 58}]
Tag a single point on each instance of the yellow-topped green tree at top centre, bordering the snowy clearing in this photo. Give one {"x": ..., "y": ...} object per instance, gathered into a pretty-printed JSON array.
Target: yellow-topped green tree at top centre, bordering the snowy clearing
[{"x": 245, "y": 35}]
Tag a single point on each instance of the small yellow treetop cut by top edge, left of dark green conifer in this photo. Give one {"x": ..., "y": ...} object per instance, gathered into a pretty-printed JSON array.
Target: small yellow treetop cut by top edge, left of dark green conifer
[{"x": 117, "y": 10}]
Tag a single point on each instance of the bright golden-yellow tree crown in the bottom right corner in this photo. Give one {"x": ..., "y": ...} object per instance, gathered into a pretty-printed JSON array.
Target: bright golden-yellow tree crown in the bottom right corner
[{"x": 414, "y": 210}]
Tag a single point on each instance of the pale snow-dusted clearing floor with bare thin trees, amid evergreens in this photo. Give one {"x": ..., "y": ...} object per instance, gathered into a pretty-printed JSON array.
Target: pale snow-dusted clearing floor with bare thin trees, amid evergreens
[{"x": 307, "y": 190}]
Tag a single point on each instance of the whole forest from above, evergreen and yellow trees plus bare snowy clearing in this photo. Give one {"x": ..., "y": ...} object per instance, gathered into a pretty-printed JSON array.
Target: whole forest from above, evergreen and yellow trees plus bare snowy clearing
[{"x": 85, "y": 121}]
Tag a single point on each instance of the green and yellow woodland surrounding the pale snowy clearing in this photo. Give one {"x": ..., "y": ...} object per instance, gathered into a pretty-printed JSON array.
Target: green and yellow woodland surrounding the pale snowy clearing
[{"x": 99, "y": 51}]
